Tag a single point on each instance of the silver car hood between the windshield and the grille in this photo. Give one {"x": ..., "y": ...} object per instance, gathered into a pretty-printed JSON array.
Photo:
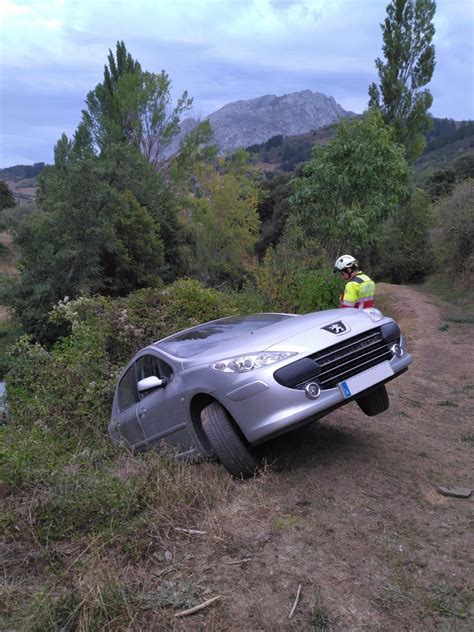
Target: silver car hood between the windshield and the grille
[{"x": 303, "y": 334}]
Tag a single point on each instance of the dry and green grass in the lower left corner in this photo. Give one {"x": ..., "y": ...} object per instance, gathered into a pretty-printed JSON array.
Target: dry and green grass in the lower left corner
[{"x": 79, "y": 524}]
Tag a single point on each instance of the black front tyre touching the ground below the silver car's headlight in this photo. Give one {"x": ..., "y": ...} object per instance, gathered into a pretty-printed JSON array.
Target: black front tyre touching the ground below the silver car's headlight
[{"x": 227, "y": 441}]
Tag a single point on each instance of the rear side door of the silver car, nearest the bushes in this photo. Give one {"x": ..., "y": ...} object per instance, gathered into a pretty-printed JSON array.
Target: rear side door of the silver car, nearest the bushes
[{"x": 125, "y": 421}]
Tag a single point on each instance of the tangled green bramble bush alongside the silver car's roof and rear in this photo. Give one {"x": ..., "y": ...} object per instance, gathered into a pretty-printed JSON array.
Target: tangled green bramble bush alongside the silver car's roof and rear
[{"x": 61, "y": 398}]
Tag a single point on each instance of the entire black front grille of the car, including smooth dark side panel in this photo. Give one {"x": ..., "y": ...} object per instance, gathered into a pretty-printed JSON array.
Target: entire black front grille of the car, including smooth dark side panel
[{"x": 340, "y": 361}]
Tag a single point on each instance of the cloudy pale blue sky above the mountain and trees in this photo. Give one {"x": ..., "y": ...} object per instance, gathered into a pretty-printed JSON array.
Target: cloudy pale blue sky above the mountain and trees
[{"x": 53, "y": 52}]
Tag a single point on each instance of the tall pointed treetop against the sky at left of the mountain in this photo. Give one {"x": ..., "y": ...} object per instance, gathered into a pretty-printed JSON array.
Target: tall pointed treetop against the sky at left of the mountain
[{"x": 134, "y": 106}]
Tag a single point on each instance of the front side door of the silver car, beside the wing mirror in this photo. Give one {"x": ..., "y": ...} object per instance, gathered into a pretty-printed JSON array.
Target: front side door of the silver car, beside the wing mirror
[{"x": 160, "y": 410}]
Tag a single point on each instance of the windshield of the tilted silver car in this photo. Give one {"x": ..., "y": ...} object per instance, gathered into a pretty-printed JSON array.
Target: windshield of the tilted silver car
[{"x": 204, "y": 337}]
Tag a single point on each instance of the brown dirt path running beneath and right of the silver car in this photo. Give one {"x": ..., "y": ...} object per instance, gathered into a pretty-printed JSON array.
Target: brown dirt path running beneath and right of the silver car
[{"x": 350, "y": 510}]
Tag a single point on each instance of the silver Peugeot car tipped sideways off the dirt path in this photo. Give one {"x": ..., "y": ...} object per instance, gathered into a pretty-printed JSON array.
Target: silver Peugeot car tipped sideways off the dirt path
[{"x": 222, "y": 388}]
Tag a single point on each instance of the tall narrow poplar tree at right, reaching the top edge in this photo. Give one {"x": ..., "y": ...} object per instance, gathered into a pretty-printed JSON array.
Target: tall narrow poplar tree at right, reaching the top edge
[{"x": 408, "y": 32}]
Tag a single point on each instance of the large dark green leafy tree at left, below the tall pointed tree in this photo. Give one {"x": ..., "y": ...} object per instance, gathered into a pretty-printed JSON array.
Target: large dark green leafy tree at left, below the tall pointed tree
[{"x": 93, "y": 233}]
